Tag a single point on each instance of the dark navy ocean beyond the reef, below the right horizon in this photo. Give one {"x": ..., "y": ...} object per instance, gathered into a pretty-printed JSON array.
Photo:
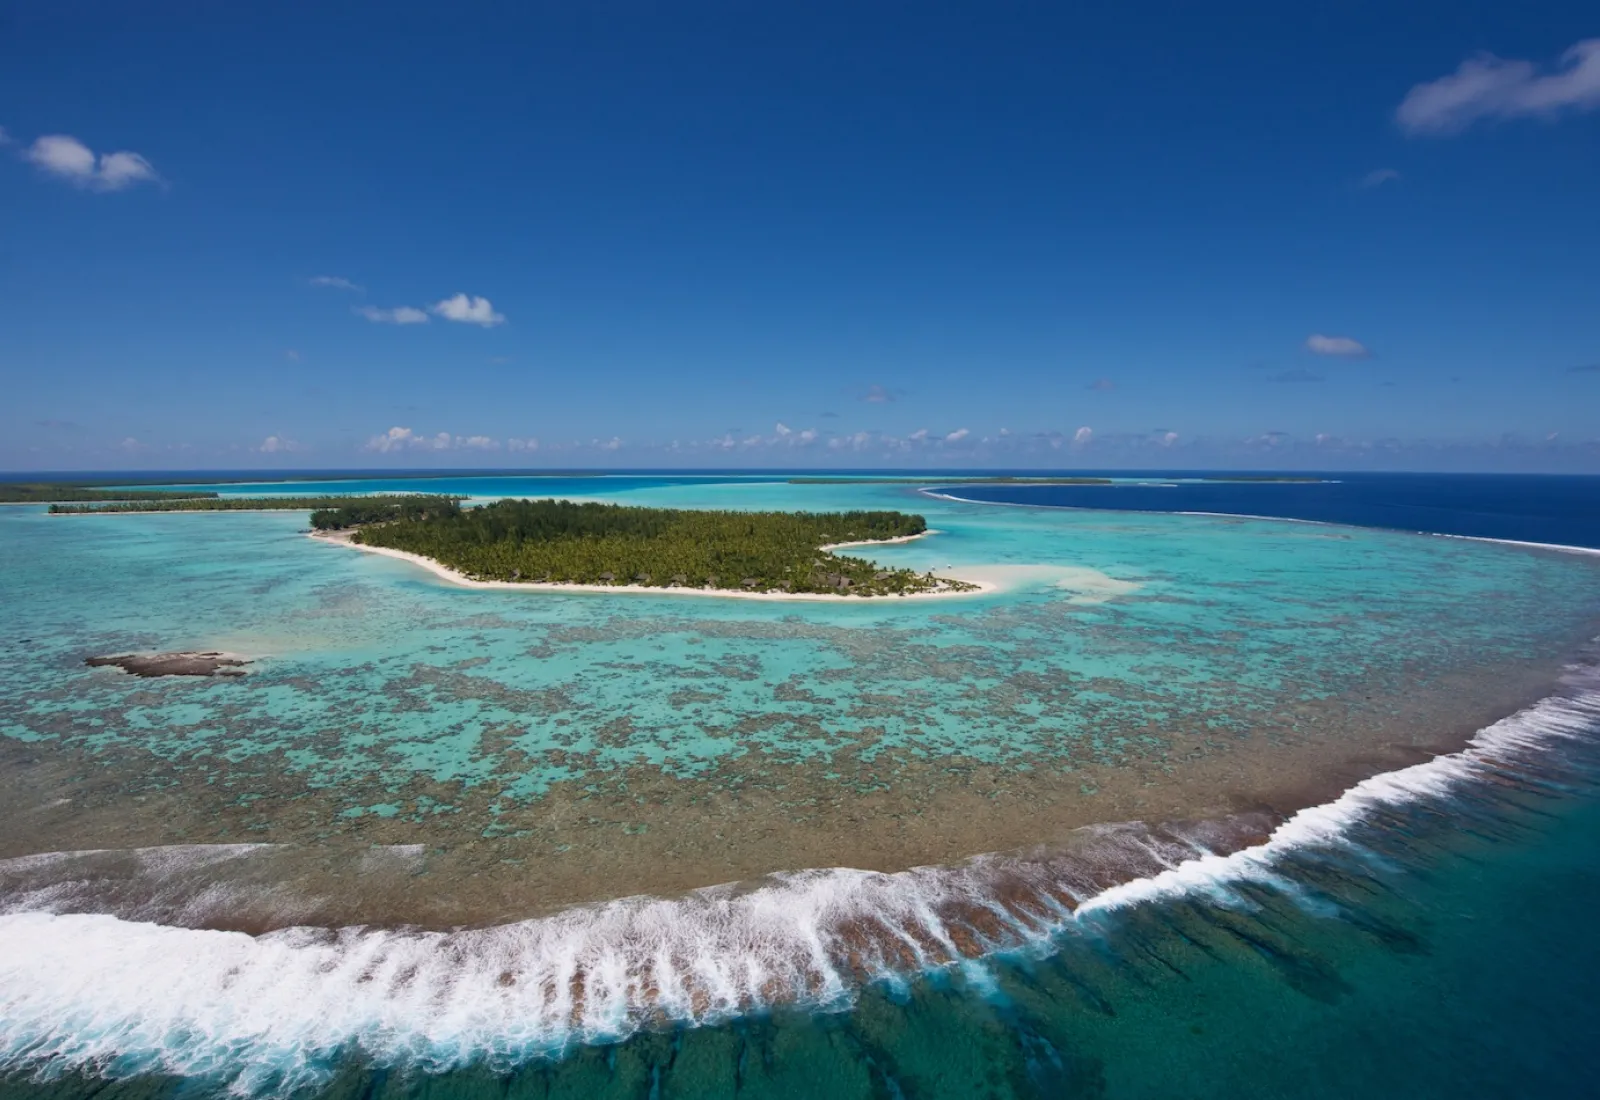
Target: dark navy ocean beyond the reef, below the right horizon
[{"x": 1562, "y": 511}]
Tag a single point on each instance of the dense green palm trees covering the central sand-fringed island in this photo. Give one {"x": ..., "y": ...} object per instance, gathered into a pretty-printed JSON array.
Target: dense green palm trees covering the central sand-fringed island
[{"x": 566, "y": 543}]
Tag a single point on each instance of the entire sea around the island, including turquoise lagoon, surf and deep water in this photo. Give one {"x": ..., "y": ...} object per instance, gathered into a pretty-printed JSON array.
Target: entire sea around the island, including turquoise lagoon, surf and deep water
[{"x": 1226, "y": 789}]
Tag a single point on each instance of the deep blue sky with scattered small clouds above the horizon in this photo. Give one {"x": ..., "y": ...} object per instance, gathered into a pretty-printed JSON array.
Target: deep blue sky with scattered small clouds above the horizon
[{"x": 830, "y": 234}]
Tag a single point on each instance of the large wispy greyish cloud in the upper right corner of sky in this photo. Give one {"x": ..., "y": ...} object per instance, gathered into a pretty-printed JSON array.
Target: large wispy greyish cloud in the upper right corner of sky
[{"x": 1489, "y": 87}]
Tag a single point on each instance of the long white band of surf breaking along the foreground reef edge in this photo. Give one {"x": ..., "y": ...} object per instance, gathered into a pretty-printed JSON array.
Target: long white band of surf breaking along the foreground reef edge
[{"x": 271, "y": 1013}]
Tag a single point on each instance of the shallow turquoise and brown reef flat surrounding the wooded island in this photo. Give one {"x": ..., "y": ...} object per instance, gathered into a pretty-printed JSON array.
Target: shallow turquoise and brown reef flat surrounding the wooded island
[{"x": 545, "y": 749}]
